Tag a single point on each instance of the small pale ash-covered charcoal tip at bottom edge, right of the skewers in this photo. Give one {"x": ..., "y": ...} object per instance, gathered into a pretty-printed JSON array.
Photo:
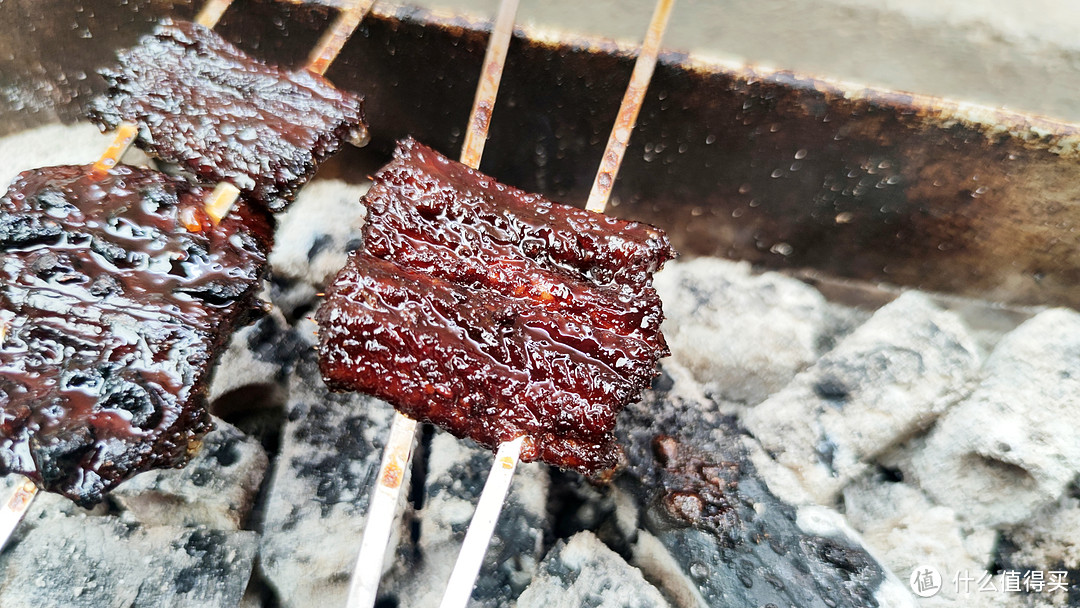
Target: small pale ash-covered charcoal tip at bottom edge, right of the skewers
[{"x": 584, "y": 572}]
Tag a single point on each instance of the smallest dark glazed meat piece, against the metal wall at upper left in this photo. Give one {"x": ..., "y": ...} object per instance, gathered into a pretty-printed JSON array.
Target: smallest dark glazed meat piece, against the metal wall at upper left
[{"x": 204, "y": 104}]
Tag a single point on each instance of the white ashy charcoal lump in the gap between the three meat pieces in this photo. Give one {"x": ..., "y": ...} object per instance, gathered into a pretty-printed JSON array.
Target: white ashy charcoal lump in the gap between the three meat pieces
[{"x": 313, "y": 241}]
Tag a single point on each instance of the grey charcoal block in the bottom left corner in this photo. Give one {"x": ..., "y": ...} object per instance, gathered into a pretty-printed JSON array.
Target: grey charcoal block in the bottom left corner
[{"x": 93, "y": 562}]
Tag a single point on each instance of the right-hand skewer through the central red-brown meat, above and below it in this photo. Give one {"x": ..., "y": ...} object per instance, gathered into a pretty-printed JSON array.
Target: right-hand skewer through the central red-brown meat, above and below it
[{"x": 479, "y": 536}]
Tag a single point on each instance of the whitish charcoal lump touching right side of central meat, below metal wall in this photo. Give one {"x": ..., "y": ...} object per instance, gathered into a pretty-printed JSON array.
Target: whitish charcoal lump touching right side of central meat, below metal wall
[{"x": 744, "y": 335}]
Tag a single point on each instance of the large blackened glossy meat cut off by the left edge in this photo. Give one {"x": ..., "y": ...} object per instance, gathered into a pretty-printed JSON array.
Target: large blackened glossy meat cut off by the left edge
[{"x": 117, "y": 293}]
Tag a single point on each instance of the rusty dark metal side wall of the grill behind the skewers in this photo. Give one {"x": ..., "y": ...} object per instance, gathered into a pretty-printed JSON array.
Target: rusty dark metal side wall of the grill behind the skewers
[{"x": 785, "y": 171}]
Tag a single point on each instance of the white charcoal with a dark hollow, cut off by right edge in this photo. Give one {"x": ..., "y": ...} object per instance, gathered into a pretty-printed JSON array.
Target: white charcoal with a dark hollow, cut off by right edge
[{"x": 1011, "y": 448}]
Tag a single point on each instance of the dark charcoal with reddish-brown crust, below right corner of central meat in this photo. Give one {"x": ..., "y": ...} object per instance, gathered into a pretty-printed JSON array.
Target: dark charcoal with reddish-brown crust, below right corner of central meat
[{"x": 730, "y": 542}]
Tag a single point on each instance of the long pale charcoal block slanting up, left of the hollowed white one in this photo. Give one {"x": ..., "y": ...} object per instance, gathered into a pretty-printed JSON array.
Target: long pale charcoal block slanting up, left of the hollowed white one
[{"x": 883, "y": 384}]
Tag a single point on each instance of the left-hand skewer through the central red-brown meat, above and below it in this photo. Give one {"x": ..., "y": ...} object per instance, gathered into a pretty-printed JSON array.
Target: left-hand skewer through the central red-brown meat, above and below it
[{"x": 387, "y": 495}]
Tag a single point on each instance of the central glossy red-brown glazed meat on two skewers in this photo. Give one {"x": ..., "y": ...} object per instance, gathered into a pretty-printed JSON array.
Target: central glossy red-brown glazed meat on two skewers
[{"x": 496, "y": 314}]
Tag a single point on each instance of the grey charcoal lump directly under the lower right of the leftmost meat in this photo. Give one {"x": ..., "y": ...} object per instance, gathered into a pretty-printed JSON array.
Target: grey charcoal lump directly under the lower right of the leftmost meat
[{"x": 217, "y": 490}]
